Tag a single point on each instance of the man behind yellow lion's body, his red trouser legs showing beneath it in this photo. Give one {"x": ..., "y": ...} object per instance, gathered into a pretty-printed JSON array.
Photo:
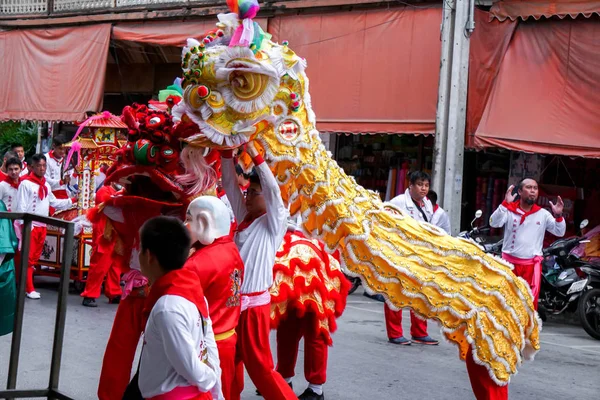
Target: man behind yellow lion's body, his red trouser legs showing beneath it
[{"x": 414, "y": 202}]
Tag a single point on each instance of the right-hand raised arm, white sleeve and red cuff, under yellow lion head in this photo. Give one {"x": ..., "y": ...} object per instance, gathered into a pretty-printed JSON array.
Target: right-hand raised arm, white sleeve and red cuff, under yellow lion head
[{"x": 276, "y": 212}]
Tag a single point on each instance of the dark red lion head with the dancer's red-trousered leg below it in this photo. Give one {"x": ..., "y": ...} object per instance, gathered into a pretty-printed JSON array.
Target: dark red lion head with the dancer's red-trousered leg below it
[{"x": 149, "y": 168}]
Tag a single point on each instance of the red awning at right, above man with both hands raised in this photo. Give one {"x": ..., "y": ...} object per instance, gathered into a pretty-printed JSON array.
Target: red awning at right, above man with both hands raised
[{"x": 546, "y": 95}]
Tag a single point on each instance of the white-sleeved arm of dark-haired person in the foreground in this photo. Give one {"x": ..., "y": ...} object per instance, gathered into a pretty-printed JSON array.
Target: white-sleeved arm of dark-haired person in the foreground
[{"x": 182, "y": 350}]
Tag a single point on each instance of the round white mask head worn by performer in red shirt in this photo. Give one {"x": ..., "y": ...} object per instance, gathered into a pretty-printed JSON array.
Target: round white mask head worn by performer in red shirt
[{"x": 208, "y": 219}]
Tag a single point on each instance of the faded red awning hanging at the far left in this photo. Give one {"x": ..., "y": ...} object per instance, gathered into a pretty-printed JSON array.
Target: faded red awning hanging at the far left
[{"x": 52, "y": 74}]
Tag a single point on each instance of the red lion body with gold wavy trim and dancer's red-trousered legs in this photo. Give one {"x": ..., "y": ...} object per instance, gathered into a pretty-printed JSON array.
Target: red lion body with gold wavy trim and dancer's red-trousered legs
[{"x": 308, "y": 294}]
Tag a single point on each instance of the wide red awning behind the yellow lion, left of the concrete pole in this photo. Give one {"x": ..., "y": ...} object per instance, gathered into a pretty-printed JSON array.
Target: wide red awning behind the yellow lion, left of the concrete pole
[{"x": 373, "y": 71}]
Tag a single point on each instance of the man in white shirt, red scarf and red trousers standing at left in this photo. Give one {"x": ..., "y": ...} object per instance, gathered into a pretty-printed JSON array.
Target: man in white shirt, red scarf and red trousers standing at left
[{"x": 35, "y": 196}]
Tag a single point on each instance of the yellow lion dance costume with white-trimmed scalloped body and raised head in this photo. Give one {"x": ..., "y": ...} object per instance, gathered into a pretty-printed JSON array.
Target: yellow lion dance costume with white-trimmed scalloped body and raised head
[{"x": 239, "y": 90}]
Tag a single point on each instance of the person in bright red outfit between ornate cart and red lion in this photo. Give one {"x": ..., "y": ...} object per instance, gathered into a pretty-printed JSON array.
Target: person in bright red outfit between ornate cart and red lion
[{"x": 102, "y": 263}]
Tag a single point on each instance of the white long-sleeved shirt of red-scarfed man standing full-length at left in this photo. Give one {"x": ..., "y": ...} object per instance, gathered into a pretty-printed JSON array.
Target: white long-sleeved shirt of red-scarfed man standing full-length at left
[{"x": 28, "y": 201}]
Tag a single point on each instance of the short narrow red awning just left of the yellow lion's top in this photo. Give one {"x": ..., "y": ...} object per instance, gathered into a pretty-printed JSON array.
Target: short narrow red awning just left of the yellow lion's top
[{"x": 167, "y": 33}]
